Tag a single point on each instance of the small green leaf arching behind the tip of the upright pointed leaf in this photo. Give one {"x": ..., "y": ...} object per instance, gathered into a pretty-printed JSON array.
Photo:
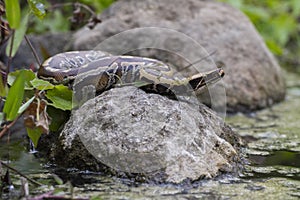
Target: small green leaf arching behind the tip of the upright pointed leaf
[{"x": 28, "y": 77}]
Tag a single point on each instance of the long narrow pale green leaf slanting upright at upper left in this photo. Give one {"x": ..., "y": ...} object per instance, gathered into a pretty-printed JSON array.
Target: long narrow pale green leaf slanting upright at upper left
[{"x": 18, "y": 37}]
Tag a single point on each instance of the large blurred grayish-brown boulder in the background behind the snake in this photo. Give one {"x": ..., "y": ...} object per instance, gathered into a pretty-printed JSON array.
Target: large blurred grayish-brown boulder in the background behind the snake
[{"x": 253, "y": 77}]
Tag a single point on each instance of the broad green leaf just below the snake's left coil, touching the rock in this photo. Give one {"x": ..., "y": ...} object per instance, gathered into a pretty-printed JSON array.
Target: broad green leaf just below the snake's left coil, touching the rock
[{"x": 61, "y": 97}]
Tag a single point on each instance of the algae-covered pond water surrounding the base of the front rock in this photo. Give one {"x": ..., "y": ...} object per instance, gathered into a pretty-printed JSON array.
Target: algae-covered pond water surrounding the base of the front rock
[{"x": 273, "y": 137}]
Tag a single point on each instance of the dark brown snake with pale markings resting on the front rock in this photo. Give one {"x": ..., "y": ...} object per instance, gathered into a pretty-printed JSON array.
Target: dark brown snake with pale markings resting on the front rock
[{"x": 105, "y": 71}]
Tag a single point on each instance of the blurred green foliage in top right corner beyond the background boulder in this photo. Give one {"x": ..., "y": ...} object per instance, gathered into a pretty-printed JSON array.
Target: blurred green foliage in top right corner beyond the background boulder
[{"x": 278, "y": 21}]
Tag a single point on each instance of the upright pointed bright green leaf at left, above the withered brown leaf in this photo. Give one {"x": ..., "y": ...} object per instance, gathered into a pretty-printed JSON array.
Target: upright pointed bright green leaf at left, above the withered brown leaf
[{"x": 14, "y": 97}]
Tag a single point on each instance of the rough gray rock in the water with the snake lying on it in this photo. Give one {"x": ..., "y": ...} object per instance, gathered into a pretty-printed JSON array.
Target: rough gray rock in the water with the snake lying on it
[{"x": 126, "y": 130}]
